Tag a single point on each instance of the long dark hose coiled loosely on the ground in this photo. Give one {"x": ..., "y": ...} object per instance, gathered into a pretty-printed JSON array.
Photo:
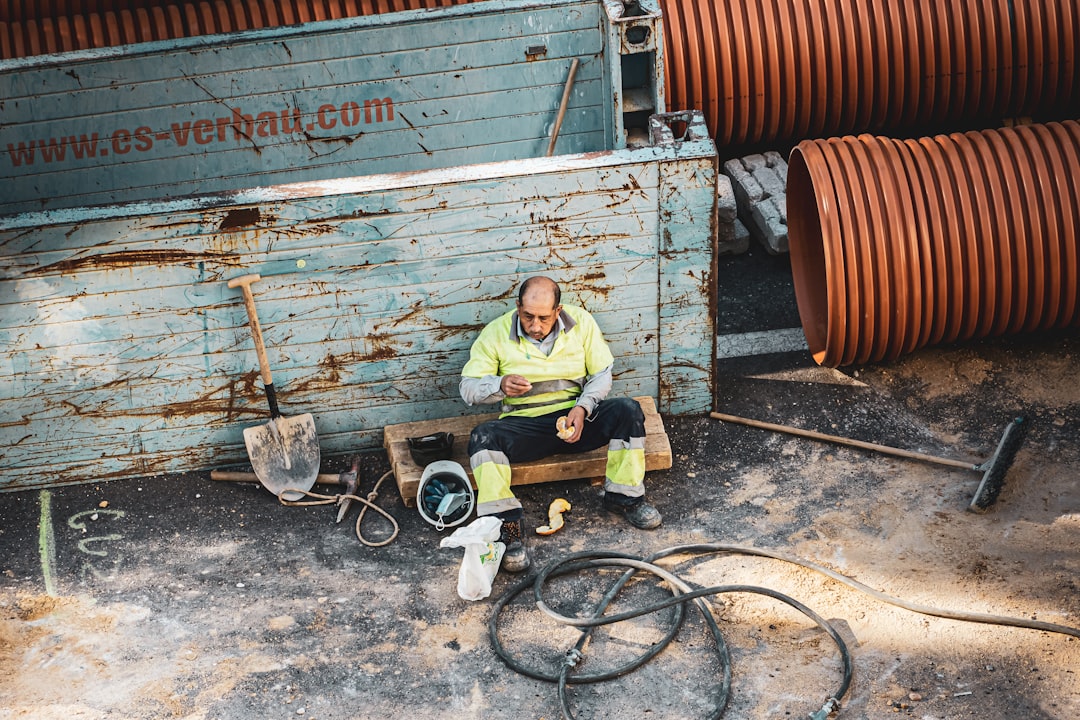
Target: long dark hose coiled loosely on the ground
[{"x": 683, "y": 593}]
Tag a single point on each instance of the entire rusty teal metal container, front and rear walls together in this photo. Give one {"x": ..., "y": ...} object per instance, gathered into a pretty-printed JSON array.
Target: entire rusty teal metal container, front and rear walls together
[{"x": 391, "y": 185}]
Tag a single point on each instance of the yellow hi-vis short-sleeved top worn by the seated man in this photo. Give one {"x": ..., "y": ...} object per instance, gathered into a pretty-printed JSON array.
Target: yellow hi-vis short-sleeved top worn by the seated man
[{"x": 558, "y": 379}]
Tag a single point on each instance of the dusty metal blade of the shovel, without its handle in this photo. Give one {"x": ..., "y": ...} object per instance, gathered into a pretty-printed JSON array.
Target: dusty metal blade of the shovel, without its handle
[{"x": 285, "y": 455}]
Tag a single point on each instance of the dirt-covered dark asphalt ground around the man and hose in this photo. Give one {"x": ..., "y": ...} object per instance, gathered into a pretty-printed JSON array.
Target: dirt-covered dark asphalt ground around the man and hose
[{"x": 182, "y": 597}]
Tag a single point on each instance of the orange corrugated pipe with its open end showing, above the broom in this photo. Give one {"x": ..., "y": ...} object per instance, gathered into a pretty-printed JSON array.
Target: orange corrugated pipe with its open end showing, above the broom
[{"x": 902, "y": 244}]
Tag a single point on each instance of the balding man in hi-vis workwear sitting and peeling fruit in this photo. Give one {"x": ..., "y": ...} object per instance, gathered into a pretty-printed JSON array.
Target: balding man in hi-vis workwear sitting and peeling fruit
[{"x": 546, "y": 362}]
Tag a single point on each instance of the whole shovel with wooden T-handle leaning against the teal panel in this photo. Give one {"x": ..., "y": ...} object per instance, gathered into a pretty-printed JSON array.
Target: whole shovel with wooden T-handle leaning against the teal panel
[{"x": 285, "y": 453}]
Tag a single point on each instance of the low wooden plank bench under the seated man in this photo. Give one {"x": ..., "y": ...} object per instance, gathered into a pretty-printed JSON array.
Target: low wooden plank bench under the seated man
[{"x": 658, "y": 452}]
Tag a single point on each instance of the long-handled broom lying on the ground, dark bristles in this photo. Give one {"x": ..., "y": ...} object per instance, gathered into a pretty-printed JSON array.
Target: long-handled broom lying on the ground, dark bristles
[{"x": 994, "y": 469}]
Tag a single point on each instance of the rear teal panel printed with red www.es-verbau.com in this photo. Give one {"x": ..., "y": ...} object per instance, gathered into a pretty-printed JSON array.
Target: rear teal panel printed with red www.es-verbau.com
[{"x": 355, "y": 97}]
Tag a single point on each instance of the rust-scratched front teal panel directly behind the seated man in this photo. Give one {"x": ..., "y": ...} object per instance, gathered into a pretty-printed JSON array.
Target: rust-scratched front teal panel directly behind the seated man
[{"x": 124, "y": 354}]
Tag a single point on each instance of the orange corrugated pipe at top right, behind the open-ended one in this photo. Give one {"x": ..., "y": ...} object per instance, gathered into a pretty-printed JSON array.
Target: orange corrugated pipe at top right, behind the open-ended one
[{"x": 775, "y": 71}]
